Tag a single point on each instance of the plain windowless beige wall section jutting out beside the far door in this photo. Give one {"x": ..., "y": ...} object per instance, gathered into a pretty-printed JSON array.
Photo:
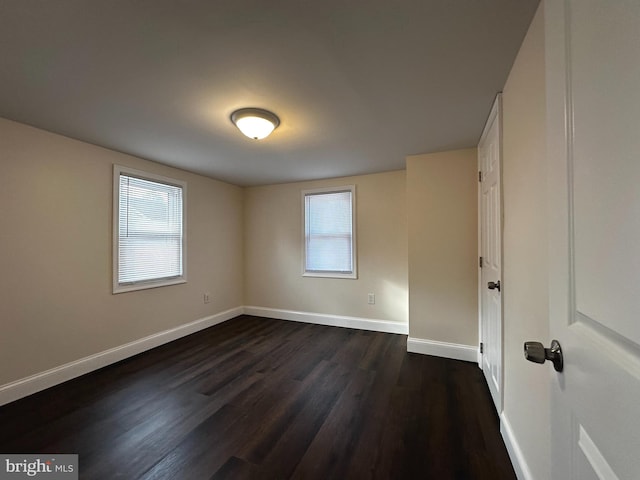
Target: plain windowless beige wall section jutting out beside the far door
[{"x": 442, "y": 217}]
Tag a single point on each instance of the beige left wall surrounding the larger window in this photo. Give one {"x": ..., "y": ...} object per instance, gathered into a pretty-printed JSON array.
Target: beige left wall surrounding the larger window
[{"x": 55, "y": 244}]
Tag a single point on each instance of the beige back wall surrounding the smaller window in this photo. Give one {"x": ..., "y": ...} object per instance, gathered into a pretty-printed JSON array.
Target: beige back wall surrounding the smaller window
[{"x": 273, "y": 251}]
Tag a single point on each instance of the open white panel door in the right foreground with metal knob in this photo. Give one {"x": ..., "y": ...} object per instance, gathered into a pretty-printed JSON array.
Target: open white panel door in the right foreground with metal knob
[{"x": 593, "y": 142}]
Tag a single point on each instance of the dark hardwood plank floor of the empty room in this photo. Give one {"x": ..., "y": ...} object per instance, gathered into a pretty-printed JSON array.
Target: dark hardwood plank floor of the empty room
[{"x": 255, "y": 398}]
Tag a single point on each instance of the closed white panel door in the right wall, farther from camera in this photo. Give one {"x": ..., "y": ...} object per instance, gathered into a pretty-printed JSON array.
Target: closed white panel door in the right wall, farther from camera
[{"x": 489, "y": 159}]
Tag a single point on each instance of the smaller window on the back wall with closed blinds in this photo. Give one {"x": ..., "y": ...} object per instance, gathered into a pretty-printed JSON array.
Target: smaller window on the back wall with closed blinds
[{"x": 329, "y": 232}]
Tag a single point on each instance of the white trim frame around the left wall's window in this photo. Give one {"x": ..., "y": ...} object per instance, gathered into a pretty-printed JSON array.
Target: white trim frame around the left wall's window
[{"x": 146, "y": 284}]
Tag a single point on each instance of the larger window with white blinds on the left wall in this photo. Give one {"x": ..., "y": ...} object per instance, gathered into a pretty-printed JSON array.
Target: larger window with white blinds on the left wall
[{"x": 149, "y": 230}]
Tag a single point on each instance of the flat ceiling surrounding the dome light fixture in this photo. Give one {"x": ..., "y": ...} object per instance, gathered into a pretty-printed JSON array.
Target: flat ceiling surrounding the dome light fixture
[{"x": 357, "y": 84}]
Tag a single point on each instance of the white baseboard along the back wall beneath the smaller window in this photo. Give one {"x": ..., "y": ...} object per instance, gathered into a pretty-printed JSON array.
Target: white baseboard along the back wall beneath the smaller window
[{"x": 331, "y": 320}]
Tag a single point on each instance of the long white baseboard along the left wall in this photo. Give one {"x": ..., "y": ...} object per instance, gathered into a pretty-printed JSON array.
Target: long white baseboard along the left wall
[{"x": 40, "y": 381}]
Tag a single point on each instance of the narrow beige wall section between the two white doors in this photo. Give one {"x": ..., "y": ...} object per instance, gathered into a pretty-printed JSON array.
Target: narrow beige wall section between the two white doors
[{"x": 526, "y": 385}]
